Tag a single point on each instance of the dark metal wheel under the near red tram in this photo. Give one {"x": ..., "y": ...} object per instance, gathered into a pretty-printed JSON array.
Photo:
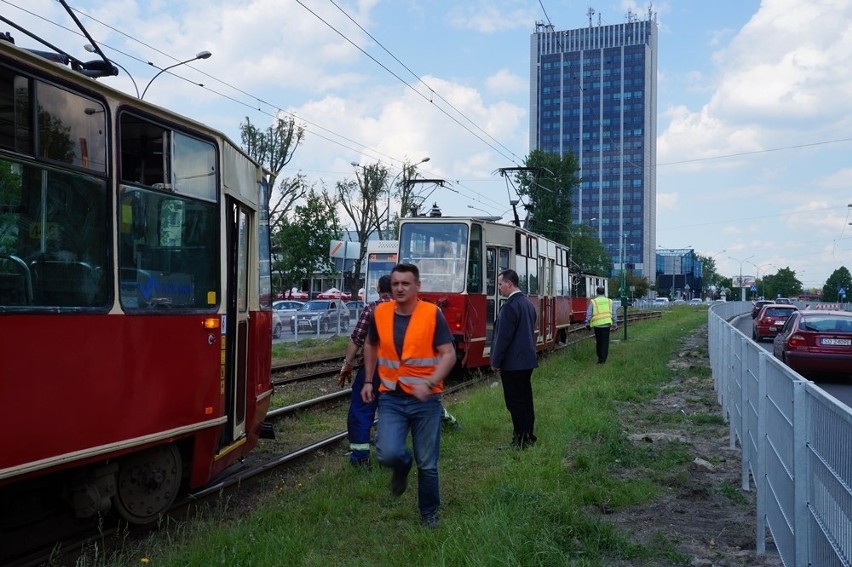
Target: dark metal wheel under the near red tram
[{"x": 147, "y": 484}]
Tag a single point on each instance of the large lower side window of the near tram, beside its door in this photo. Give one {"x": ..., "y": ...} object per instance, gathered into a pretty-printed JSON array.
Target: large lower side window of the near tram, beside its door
[{"x": 168, "y": 251}]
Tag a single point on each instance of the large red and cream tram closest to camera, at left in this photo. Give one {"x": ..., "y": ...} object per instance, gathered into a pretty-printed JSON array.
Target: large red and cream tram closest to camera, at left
[{"x": 134, "y": 295}]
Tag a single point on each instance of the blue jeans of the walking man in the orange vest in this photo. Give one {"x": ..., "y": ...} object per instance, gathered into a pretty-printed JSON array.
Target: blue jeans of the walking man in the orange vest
[{"x": 398, "y": 415}]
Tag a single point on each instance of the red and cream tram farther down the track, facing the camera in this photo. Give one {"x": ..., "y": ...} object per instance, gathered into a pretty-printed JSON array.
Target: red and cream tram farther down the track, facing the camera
[{"x": 459, "y": 259}]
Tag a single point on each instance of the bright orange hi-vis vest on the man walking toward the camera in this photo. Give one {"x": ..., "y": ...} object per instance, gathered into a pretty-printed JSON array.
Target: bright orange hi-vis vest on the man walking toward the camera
[{"x": 419, "y": 357}]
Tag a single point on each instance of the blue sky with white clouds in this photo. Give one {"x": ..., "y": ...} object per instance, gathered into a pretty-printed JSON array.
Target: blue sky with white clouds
[{"x": 754, "y": 132}]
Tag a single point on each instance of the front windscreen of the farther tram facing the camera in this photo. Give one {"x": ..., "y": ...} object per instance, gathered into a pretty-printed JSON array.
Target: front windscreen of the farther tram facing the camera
[{"x": 439, "y": 251}]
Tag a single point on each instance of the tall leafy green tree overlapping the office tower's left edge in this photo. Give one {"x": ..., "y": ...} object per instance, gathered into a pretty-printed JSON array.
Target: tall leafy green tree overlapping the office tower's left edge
[{"x": 548, "y": 185}]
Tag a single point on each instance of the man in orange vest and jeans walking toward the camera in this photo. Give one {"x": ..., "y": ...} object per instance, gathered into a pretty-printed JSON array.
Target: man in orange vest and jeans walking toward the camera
[{"x": 411, "y": 342}]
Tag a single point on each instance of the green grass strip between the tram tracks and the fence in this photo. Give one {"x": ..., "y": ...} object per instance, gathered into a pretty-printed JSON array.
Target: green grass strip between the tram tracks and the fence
[{"x": 543, "y": 506}]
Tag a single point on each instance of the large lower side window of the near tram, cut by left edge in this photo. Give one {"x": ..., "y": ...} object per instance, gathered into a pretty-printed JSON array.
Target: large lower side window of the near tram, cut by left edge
[{"x": 54, "y": 239}]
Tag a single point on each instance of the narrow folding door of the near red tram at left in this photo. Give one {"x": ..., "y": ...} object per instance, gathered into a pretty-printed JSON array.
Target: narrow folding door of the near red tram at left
[{"x": 235, "y": 339}]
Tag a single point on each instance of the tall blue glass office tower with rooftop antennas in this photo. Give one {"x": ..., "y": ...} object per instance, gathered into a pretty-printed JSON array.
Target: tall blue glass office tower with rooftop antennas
[{"x": 593, "y": 92}]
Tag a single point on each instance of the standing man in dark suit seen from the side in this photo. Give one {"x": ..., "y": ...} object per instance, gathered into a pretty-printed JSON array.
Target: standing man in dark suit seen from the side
[{"x": 513, "y": 354}]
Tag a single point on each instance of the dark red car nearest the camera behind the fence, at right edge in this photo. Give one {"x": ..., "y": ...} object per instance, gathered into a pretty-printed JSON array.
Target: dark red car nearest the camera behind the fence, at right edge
[{"x": 816, "y": 342}]
